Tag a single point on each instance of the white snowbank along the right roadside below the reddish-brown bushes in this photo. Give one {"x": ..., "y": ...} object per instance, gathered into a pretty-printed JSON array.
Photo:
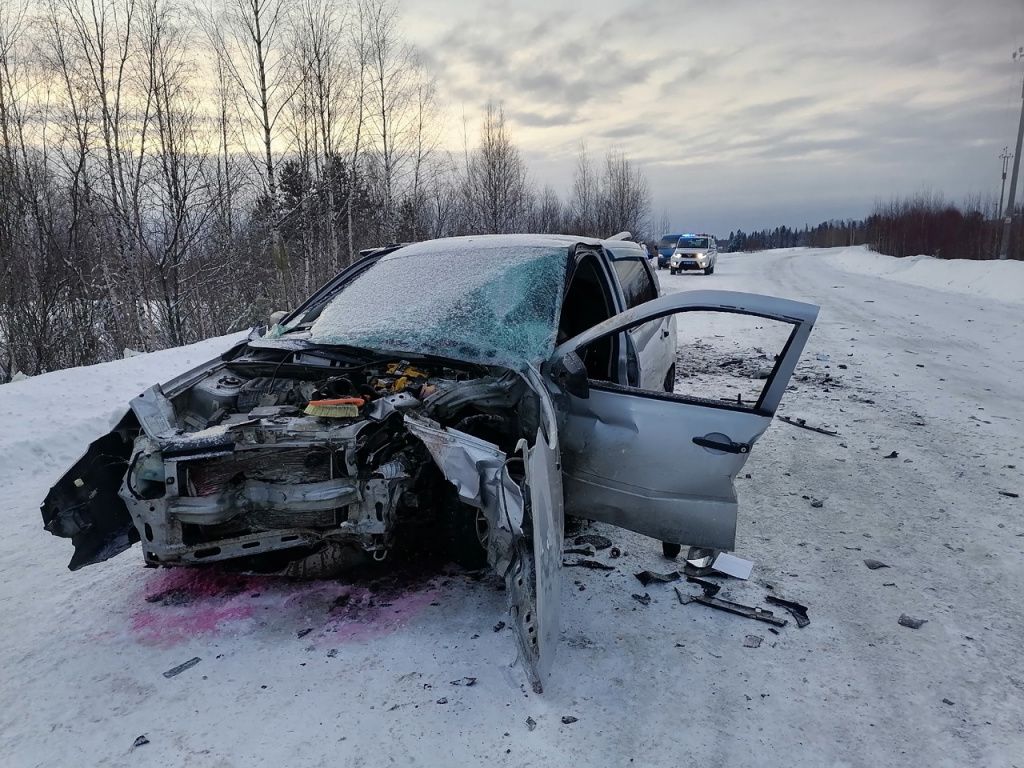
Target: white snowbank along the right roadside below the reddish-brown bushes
[{"x": 1002, "y": 281}]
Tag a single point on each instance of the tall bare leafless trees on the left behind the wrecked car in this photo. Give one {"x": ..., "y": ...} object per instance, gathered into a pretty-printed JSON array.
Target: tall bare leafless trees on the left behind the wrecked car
[{"x": 172, "y": 172}]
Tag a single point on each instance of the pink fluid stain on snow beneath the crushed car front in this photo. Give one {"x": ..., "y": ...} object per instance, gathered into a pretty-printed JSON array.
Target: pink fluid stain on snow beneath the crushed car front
[{"x": 184, "y": 604}]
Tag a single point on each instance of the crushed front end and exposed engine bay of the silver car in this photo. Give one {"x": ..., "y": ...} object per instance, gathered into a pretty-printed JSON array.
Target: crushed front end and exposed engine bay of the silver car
[{"x": 298, "y": 463}]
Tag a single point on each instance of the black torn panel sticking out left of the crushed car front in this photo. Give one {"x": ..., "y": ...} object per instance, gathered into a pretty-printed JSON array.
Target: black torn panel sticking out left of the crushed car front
[{"x": 84, "y": 505}]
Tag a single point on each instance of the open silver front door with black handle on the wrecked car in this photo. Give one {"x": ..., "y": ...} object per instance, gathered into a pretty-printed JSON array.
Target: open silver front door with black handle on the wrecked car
[{"x": 664, "y": 463}]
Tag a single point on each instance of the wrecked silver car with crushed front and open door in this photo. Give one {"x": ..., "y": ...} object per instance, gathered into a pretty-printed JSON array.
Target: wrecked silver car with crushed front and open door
[{"x": 474, "y": 389}]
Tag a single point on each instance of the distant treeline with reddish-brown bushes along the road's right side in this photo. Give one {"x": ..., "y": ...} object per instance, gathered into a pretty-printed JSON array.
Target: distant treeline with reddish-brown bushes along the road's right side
[{"x": 922, "y": 225}]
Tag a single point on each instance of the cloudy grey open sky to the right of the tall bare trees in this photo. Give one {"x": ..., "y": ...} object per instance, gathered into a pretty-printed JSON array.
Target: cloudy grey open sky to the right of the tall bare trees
[{"x": 744, "y": 113}]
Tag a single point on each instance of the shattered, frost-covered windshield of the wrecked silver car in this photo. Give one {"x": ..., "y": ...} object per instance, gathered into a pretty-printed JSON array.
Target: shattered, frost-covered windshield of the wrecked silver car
[{"x": 493, "y": 306}]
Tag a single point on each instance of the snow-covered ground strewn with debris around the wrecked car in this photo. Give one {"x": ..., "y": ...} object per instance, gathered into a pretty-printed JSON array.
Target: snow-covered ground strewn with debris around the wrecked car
[{"x": 923, "y": 358}]
